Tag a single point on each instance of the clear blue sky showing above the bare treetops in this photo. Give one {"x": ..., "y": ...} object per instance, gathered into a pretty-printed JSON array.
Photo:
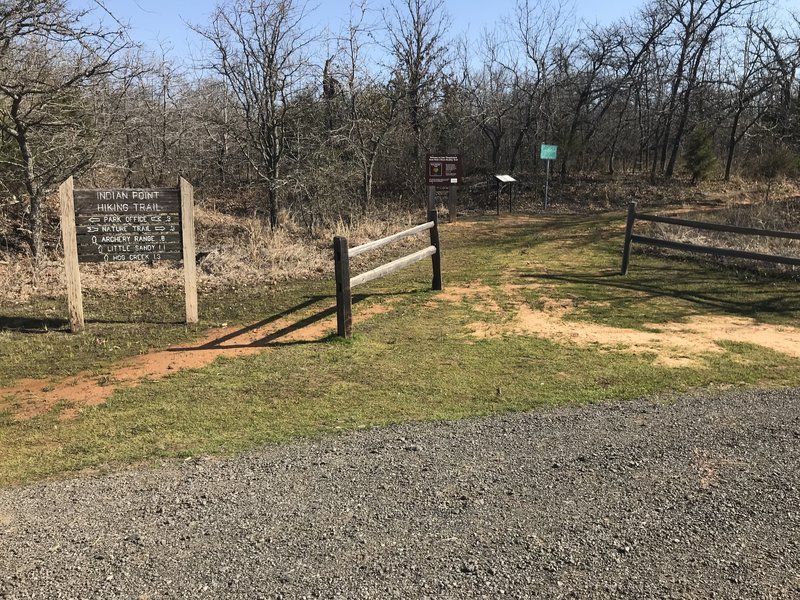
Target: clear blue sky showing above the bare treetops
[{"x": 155, "y": 21}]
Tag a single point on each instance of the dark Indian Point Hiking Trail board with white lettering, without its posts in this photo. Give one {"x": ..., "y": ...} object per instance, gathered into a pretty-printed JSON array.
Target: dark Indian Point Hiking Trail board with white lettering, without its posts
[{"x": 123, "y": 225}]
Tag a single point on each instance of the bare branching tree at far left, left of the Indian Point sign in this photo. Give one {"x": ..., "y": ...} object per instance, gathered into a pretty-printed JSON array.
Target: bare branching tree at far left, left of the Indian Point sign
[{"x": 49, "y": 60}]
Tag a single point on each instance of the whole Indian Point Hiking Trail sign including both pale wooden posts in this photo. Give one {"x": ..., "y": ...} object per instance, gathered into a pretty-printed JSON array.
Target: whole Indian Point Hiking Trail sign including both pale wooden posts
[{"x": 127, "y": 225}]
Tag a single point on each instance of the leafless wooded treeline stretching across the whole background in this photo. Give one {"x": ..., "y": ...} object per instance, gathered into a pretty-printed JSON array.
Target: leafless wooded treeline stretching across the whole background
[{"x": 325, "y": 123}]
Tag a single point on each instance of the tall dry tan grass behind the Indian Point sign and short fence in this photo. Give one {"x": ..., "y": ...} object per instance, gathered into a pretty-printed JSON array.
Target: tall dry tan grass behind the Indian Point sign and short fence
[{"x": 234, "y": 251}]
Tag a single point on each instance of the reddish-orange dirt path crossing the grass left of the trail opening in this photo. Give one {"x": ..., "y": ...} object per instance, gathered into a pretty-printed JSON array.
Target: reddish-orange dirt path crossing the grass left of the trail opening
[{"x": 309, "y": 322}]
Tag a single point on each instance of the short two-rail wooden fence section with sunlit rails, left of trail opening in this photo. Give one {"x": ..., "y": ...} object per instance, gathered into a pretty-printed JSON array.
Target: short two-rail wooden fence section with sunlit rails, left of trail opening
[{"x": 342, "y": 253}]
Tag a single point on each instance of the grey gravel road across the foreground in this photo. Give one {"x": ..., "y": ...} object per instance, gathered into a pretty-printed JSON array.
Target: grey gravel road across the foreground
[{"x": 693, "y": 498}]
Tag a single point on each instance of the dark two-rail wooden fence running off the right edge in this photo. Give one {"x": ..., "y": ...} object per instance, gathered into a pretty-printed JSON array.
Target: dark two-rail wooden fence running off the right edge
[{"x": 630, "y": 238}]
